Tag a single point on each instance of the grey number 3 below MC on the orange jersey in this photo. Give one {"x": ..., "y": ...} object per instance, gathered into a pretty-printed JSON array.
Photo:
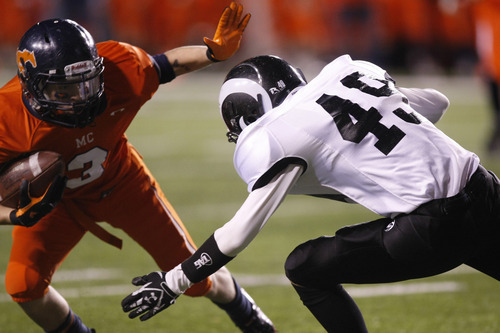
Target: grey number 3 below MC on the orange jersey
[{"x": 90, "y": 163}]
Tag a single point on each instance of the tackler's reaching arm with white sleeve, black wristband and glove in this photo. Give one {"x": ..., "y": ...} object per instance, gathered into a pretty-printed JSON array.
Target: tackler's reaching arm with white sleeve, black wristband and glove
[{"x": 215, "y": 252}]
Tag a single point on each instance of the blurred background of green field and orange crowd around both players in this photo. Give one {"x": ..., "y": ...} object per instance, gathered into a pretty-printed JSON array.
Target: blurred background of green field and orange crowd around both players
[{"x": 450, "y": 45}]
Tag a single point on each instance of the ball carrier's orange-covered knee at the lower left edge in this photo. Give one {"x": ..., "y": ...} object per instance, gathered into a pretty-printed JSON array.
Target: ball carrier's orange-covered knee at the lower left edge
[{"x": 23, "y": 283}]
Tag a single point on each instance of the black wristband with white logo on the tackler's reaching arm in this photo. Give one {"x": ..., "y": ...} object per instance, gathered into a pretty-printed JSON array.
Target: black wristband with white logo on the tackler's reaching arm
[{"x": 205, "y": 261}]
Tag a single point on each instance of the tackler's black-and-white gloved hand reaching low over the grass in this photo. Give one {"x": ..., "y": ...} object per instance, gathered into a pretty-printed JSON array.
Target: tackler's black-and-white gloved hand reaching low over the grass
[{"x": 154, "y": 296}]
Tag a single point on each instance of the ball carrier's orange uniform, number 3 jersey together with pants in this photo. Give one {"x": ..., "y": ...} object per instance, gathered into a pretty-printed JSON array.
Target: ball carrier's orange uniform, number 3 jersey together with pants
[{"x": 107, "y": 179}]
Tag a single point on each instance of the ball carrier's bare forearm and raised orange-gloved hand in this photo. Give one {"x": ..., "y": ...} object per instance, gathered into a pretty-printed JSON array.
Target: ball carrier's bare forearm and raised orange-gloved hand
[{"x": 224, "y": 44}]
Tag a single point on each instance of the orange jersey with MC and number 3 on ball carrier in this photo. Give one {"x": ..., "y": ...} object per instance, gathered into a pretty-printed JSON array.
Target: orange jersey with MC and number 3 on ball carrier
[{"x": 96, "y": 155}]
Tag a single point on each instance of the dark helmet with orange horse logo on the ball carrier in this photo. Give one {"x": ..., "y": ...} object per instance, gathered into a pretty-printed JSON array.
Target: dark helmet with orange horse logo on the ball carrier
[{"x": 61, "y": 73}]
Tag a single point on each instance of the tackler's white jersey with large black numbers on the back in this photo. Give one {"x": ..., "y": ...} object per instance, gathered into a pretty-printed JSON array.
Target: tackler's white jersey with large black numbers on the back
[{"x": 359, "y": 138}]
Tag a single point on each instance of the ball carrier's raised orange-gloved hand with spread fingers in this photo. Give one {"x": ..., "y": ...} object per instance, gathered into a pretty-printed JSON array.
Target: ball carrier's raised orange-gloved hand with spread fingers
[{"x": 228, "y": 35}]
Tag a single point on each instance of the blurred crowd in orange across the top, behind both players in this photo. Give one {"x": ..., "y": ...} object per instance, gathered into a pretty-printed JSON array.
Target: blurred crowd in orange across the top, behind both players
[{"x": 410, "y": 35}]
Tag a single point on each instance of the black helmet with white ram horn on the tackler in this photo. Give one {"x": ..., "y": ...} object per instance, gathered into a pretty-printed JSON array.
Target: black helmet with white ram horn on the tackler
[{"x": 253, "y": 87}]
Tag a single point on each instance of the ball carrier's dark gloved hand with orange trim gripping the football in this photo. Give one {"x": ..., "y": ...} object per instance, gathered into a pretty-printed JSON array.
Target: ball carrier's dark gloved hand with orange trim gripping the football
[{"x": 31, "y": 210}]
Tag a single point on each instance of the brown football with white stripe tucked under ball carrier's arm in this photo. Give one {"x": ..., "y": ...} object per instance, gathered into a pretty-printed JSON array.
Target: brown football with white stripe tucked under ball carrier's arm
[{"x": 39, "y": 168}]
